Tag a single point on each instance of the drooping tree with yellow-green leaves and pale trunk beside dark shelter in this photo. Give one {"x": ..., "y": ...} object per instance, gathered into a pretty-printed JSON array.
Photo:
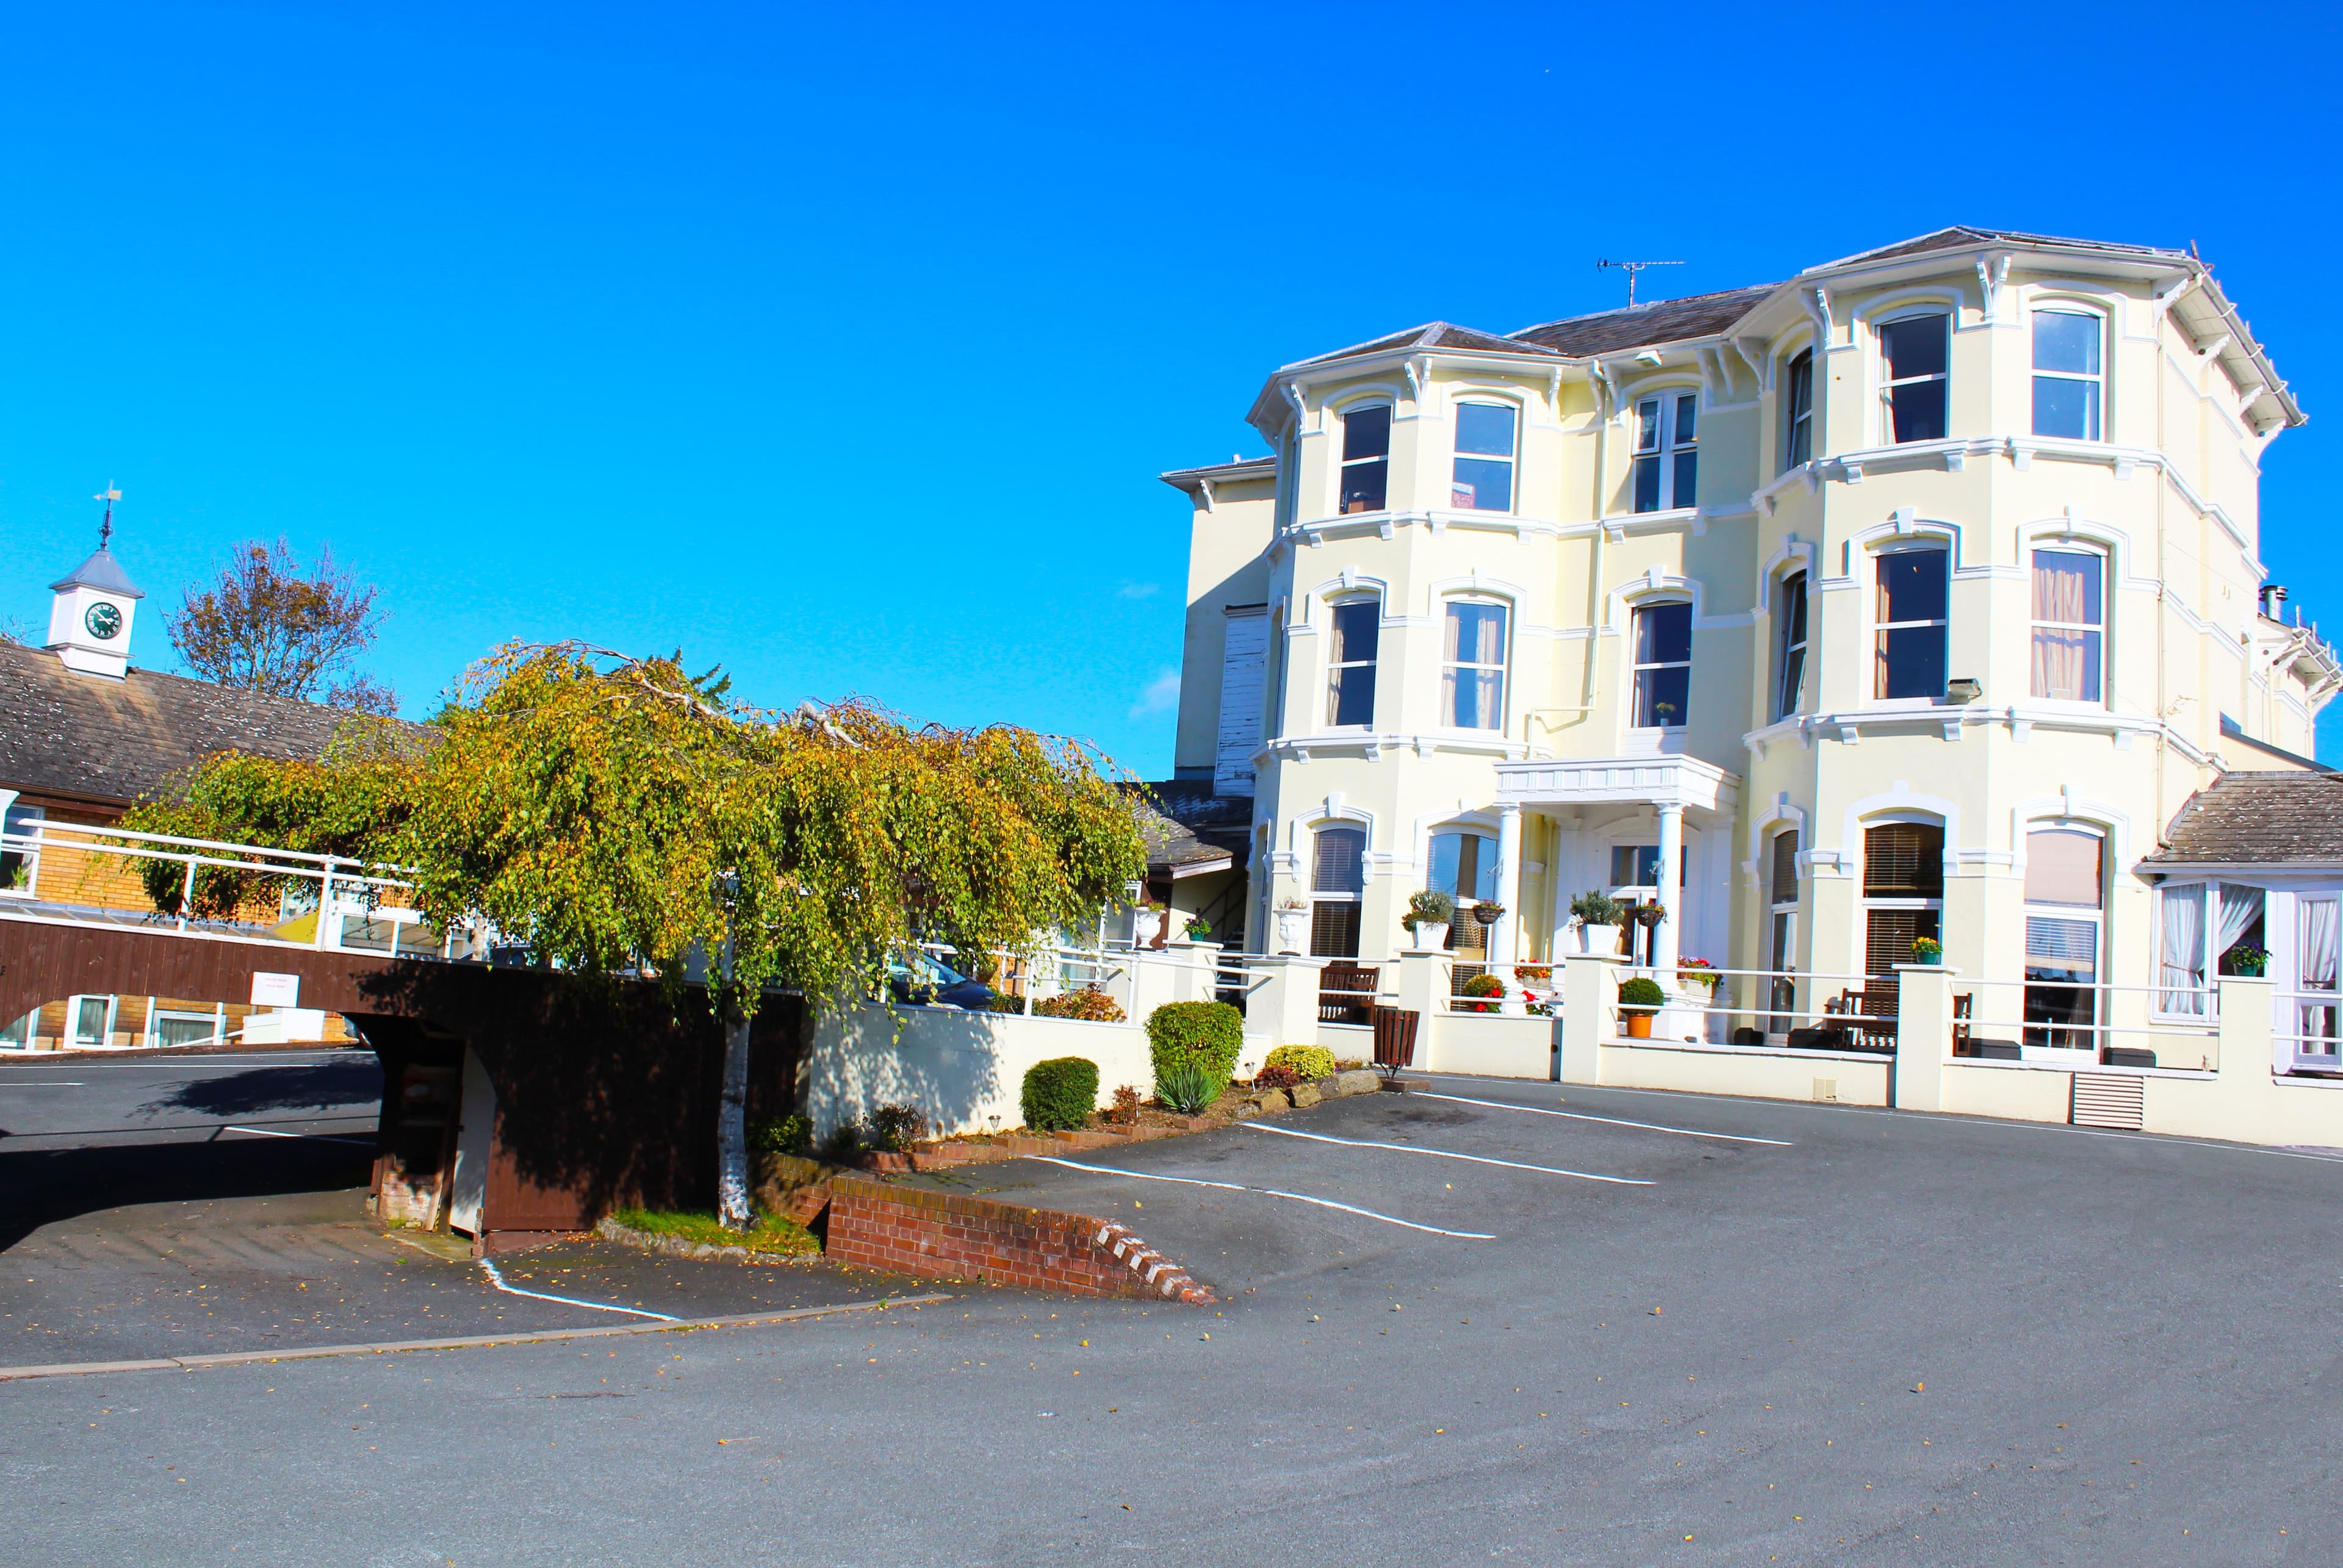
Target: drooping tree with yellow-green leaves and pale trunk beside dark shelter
[{"x": 620, "y": 817}]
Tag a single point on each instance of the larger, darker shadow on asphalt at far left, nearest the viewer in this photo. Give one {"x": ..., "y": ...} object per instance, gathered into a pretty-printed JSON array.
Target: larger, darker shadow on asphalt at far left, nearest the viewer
[{"x": 43, "y": 1187}]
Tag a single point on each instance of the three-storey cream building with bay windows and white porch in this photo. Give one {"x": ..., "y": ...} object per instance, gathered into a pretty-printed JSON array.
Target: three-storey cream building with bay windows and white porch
[{"x": 1911, "y": 596}]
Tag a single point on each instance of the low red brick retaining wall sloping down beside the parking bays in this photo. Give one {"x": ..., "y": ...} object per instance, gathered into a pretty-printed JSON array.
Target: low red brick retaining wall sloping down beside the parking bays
[{"x": 943, "y": 1236}]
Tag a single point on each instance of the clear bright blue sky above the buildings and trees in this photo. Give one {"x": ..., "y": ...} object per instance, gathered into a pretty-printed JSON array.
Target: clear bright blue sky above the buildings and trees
[{"x": 845, "y": 346}]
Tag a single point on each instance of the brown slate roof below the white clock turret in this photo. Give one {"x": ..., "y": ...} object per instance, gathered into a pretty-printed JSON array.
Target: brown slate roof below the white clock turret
[{"x": 121, "y": 739}]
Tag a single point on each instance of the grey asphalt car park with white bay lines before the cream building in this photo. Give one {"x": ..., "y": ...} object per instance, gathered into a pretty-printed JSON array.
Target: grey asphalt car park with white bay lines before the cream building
[{"x": 1876, "y": 1337}]
